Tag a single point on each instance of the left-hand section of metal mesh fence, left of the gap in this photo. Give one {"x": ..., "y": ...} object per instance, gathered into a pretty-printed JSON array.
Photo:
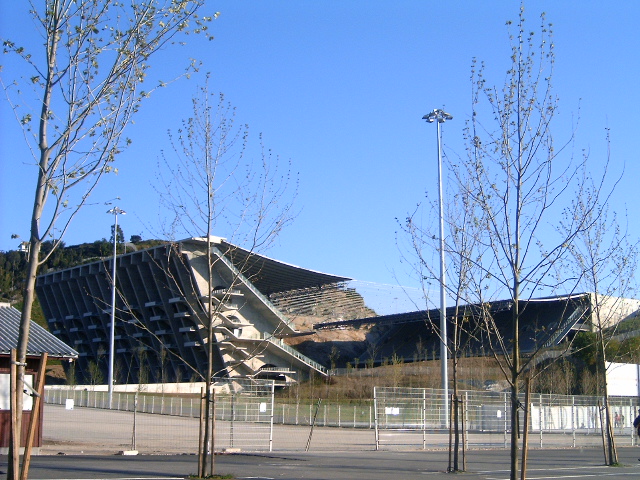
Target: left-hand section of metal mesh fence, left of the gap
[{"x": 243, "y": 412}]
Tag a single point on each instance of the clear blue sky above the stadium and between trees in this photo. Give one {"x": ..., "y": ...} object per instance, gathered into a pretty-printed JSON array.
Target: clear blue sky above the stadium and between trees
[{"x": 339, "y": 87}]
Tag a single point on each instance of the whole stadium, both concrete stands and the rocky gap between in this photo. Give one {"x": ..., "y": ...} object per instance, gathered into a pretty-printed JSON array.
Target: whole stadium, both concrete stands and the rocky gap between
[{"x": 270, "y": 320}]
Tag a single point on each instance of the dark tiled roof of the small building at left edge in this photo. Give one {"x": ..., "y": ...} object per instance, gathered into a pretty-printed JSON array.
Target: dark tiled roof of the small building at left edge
[{"x": 40, "y": 340}]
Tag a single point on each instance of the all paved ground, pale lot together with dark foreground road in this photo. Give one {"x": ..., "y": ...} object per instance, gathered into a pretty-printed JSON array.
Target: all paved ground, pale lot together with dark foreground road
[{"x": 88, "y": 439}]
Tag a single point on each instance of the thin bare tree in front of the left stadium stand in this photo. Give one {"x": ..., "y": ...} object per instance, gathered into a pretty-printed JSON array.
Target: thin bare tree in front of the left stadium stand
[{"x": 213, "y": 183}]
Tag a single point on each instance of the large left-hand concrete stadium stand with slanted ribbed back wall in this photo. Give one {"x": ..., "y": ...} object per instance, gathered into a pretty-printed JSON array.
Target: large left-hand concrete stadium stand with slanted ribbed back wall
[{"x": 162, "y": 313}]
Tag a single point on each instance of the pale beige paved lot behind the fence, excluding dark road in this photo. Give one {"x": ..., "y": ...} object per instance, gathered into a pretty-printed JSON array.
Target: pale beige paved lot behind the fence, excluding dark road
[{"x": 98, "y": 431}]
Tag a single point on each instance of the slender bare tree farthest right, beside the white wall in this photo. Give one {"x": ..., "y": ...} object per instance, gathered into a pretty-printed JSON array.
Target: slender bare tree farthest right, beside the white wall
[{"x": 605, "y": 262}]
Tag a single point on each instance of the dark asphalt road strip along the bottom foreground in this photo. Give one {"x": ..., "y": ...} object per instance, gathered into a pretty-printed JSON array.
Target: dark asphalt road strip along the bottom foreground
[{"x": 481, "y": 464}]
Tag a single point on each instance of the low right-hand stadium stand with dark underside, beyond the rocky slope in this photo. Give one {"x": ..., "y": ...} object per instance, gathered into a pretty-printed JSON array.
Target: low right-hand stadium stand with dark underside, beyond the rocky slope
[{"x": 545, "y": 323}]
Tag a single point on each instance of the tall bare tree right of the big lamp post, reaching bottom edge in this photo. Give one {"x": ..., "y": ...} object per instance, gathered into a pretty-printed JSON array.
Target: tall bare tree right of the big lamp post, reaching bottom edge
[{"x": 520, "y": 179}]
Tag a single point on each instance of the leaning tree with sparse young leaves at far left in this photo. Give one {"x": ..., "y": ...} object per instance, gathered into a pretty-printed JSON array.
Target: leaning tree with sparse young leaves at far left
[{"x": 87, "y": 86}]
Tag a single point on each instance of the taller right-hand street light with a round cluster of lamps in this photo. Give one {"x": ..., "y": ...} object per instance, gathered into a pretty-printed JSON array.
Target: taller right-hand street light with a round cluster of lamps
[{"x": 439, "y": 116}]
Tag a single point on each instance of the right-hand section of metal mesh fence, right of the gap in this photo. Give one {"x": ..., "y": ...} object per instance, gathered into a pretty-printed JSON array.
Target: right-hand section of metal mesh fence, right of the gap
[{"x": 412, "y": 417}]
